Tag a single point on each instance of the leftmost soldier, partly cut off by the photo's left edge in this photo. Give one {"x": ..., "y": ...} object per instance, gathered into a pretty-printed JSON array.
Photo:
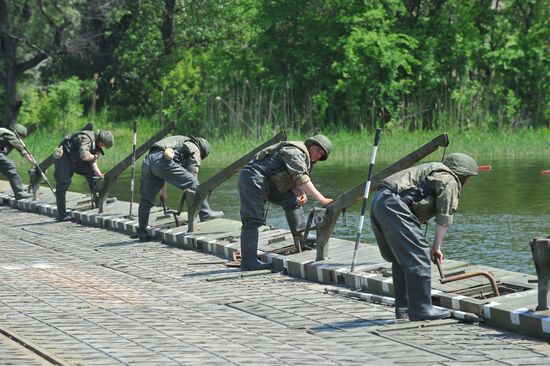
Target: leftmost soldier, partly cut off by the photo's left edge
[{"x": 8, "y": 141}]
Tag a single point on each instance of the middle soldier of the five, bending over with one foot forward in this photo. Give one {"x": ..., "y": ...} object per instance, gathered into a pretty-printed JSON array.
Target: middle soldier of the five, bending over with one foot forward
[{"x": 175, "y": 160}]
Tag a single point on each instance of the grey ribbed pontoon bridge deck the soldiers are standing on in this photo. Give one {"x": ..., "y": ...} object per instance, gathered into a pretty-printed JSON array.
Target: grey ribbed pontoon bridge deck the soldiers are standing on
[{"x": 87, "y": 294}]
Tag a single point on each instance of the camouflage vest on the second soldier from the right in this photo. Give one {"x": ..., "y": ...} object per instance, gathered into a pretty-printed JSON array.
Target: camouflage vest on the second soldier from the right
[{"x": 275, "y": 167}]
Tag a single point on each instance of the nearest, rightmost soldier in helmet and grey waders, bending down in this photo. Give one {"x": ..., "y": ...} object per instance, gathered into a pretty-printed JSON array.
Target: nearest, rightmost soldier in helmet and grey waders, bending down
[{"x": 403, "y": 202}]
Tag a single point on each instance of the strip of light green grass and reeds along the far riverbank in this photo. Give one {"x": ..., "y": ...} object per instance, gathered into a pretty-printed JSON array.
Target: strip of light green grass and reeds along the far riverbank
[{"x": 349, "y": 147}]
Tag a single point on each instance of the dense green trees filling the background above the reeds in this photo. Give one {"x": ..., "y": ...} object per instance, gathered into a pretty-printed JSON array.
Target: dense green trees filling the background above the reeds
[{"x": 238, "y": 65}]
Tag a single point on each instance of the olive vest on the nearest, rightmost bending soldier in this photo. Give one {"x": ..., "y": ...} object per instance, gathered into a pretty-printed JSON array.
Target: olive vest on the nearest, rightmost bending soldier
[{"x": 413, "y": 188}]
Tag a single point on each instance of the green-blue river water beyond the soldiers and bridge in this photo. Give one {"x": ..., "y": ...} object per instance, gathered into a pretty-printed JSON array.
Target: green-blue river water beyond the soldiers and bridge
[{"x": 500, "y": 211}]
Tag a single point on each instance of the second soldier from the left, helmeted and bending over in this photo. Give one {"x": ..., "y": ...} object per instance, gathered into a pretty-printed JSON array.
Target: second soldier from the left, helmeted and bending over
[{"x": 78, "y": 153}]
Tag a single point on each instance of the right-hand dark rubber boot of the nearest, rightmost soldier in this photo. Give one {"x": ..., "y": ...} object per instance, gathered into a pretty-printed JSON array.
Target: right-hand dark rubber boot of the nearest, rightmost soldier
[{"x": 419, "y": 290}]
